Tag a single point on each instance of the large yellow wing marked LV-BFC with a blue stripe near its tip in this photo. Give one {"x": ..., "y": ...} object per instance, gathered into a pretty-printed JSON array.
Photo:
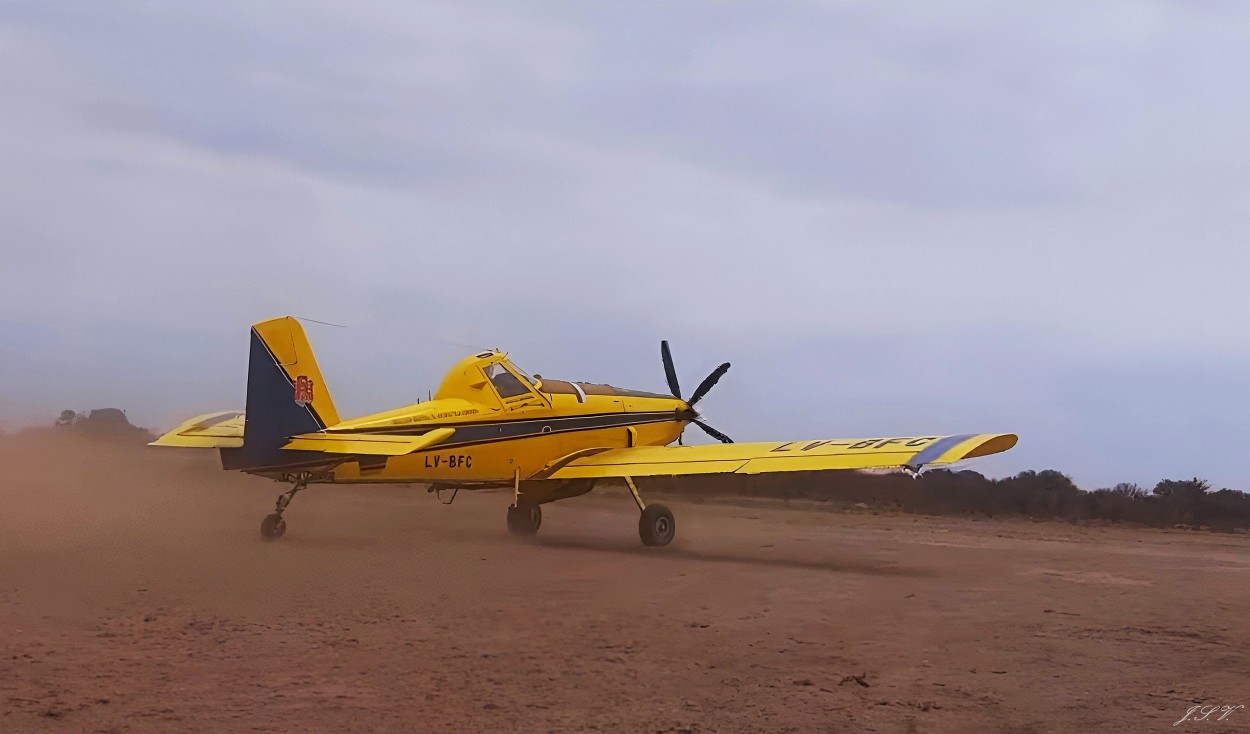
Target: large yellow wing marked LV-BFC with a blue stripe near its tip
[{"x": 909, "y": 452}]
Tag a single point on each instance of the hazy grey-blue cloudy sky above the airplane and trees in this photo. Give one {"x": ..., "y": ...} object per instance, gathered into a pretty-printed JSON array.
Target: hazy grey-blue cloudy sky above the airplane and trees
[{"x": 894, "y": 219}]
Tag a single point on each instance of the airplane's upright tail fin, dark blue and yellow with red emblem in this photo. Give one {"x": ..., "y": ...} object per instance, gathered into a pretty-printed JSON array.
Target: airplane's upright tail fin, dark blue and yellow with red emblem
[{"x": 287, "y": 396}]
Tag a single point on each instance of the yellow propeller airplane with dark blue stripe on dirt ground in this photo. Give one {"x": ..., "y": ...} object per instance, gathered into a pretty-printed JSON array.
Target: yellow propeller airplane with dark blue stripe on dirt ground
[{"x": 492, "y": 426}]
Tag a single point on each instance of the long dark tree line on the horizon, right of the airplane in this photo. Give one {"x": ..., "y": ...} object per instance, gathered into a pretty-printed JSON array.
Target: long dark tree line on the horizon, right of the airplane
[{"x": 1034, "y": 495}]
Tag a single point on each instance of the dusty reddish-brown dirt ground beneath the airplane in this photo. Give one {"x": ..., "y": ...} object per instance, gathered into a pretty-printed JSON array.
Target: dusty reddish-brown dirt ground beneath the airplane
[{"x": 137, "y": 596}]
